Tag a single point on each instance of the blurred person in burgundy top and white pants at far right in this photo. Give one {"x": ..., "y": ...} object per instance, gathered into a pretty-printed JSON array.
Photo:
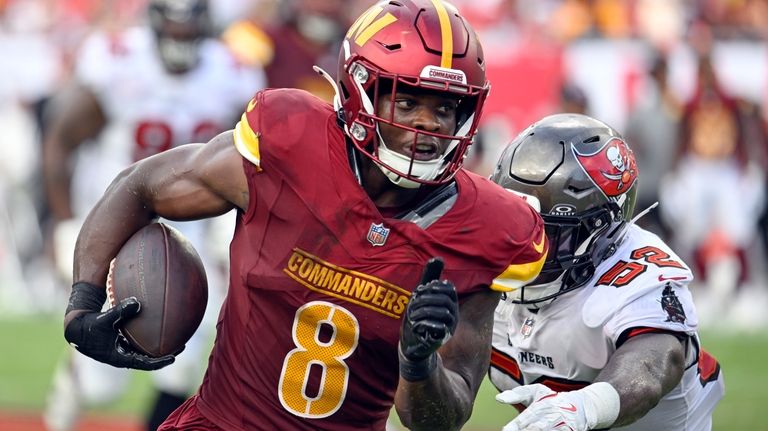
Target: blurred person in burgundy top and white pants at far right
[{"x": 715, "y": 221}]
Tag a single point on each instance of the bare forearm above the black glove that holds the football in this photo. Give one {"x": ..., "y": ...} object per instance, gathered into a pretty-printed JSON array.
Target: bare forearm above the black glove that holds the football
[{"x": 121, "y": 212}]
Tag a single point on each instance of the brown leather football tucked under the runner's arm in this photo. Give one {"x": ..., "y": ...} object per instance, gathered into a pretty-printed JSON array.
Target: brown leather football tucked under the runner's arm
[{"x": 163, "y": 271}]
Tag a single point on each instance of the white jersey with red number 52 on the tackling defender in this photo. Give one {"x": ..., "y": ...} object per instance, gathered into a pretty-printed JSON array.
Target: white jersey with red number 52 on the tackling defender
[{"x": 641, "y": 288}]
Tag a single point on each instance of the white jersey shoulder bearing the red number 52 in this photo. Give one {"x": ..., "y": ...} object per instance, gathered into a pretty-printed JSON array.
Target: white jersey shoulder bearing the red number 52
[{"x": 640, "y": 266}]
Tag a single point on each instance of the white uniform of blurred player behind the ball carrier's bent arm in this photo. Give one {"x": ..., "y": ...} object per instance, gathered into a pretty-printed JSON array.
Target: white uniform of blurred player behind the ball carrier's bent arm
[{"x": 148, "y": 111}]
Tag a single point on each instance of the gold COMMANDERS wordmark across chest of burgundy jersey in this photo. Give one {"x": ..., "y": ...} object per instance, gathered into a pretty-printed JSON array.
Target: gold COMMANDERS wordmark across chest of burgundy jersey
[{"x": 352, "y": 286}]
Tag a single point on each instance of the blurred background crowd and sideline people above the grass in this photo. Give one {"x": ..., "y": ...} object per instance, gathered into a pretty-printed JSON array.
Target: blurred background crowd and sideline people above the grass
[{"x": 684, "y": 80}]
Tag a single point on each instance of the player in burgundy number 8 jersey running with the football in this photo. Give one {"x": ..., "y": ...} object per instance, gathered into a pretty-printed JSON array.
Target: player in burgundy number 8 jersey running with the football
[{"x": 365, "y": 263}]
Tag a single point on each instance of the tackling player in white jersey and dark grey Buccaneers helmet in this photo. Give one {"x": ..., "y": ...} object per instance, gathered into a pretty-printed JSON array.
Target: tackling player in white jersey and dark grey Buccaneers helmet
[{"x": 606, "y": 336}]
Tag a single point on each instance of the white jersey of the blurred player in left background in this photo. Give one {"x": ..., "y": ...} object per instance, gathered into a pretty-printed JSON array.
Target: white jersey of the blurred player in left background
[{"x": 149, "y": 110}]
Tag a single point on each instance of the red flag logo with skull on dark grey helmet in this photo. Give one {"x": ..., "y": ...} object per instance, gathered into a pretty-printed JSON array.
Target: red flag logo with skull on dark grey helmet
[{"x": 612, "y": 167}]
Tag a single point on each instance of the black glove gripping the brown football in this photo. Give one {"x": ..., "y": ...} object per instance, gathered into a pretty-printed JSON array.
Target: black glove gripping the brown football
[{"x": 96, "y": 334}]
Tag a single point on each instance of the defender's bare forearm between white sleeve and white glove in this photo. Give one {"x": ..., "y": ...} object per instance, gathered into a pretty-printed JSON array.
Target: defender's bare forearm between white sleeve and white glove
[{"x": 642, "y": 372}]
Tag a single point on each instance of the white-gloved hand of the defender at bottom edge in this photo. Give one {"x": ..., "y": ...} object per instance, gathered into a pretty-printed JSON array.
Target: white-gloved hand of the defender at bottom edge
[{"x": 595, "y": 406}]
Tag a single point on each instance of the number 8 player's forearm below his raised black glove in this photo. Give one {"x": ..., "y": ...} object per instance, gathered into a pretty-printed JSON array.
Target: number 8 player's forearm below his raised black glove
[{"x": 442, "y": 401}]
